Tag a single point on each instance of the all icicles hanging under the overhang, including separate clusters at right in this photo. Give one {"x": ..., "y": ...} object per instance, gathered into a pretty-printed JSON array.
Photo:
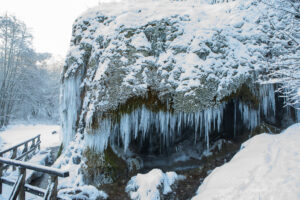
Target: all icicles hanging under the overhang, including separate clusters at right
[{"x": 170, "y": 125}]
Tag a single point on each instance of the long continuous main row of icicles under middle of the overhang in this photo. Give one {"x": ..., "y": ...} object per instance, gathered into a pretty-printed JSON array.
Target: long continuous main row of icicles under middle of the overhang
[{"x": 164, "y": 123}]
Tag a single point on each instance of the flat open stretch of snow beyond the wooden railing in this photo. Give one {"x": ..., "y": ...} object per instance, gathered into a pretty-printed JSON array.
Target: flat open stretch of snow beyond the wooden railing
[{"x": 18, "y": 133}]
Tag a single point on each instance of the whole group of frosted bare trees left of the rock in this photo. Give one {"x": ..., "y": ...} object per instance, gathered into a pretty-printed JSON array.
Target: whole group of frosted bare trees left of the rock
[{"x": 27, "y": 88}]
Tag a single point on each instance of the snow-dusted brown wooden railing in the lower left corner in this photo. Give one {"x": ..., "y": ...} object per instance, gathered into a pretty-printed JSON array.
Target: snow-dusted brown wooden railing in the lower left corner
[{"x": 19, "y": 185}]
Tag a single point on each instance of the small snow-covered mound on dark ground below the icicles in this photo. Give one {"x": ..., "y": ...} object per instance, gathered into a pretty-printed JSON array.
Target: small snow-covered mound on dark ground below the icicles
[{"x": 147, "y": 186}]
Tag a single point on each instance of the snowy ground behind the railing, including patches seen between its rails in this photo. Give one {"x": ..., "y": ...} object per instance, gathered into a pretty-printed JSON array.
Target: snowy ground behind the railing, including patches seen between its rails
[{"x": 18, "y": 133}]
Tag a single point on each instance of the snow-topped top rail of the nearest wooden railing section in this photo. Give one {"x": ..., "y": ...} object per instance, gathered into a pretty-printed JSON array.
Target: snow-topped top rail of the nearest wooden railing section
[{"x": 35, "y": 167}]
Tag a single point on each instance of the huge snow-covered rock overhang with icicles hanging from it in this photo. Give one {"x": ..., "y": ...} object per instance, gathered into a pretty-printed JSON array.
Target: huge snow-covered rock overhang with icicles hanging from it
[{"x": 144, "y": 76}]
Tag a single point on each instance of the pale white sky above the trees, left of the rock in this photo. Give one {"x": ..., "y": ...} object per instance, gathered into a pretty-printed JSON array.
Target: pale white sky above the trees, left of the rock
[{"x": 50, "y": 21}]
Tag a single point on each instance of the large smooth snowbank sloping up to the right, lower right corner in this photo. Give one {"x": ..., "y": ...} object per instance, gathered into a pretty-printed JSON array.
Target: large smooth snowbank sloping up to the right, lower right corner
[{"x": 266, "y": 167}]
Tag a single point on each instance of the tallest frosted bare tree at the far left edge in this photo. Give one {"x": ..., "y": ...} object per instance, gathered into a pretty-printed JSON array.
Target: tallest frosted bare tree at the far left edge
[{"x": 14, "y": 42}]
